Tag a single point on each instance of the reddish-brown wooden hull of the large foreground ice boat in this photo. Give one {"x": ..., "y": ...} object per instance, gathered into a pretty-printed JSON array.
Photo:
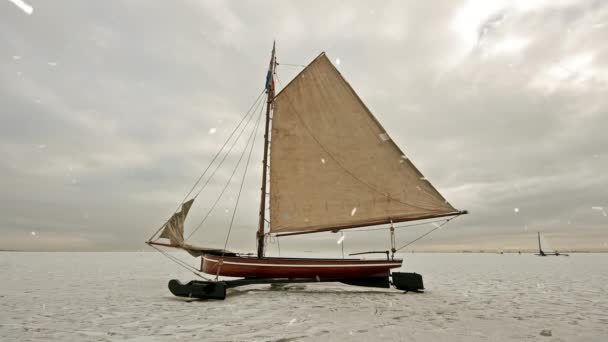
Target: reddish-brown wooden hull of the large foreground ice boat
[{"x": 253, "y": 267}]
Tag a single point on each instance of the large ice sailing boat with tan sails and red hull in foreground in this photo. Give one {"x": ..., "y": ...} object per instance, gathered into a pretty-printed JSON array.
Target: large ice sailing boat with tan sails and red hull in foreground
[{"x": 332, "y": 167}]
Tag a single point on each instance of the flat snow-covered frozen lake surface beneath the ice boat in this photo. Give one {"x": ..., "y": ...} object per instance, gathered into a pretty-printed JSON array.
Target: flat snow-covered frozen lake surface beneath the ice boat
[{"x": 124, "y": 297}]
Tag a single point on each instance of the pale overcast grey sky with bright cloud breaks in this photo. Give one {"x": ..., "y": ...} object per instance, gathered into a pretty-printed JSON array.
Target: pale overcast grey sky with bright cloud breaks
[{"x": 109, "y": 110}]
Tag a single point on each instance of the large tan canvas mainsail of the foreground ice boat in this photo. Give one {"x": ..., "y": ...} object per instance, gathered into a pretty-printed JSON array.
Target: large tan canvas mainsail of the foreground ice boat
[{"x": 333, "y": 166}]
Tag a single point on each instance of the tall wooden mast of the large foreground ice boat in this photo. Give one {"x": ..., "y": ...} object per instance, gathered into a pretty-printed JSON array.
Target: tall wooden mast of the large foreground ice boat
[{"x": 269, "y": 98}]
